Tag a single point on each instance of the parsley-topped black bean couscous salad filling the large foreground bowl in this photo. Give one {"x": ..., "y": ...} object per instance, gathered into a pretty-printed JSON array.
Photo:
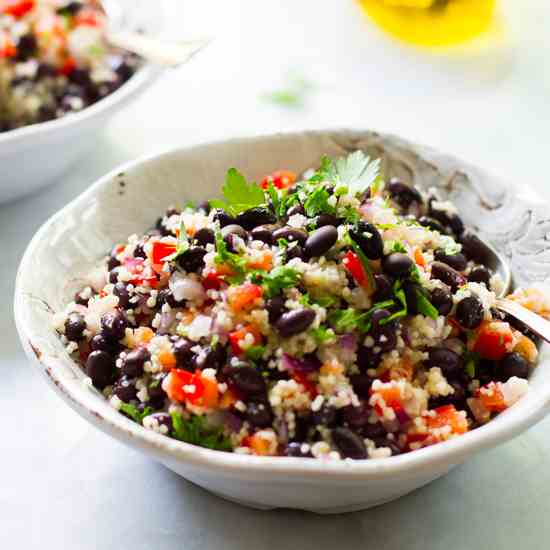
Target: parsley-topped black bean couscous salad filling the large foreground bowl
[{"x": 332, "y": 316}]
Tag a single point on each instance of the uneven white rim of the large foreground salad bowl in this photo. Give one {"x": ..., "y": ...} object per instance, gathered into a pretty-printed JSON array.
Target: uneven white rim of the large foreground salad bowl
[{"x": 533, "y": 407}]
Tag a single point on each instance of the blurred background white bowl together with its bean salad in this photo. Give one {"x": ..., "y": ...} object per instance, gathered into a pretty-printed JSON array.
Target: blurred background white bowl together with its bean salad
[{"x": 60, "y": 81}]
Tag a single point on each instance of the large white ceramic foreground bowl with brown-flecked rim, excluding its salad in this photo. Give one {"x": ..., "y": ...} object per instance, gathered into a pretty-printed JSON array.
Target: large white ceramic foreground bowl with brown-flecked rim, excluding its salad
[{"x": 131, "y": 197}]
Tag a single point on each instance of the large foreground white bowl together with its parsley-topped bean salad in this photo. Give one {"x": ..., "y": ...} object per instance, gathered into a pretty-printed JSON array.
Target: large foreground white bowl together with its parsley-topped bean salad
[{"x": 303, "y": 320}]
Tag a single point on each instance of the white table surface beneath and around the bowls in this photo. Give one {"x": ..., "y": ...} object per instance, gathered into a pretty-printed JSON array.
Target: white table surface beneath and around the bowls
[{"x": 65, "y": 485}]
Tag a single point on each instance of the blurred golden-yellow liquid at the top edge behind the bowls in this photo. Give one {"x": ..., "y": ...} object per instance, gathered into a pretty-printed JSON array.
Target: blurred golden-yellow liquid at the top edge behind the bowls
[{"x": 432, "y": 23}]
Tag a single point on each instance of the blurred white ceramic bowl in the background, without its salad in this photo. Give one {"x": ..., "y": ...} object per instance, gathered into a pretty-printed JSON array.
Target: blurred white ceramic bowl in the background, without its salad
[{"x": 36, "y": 155}]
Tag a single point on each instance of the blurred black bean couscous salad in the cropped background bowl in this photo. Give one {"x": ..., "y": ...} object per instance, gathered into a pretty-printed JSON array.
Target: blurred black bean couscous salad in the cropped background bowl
[{"x": 55, "y": 60}]
